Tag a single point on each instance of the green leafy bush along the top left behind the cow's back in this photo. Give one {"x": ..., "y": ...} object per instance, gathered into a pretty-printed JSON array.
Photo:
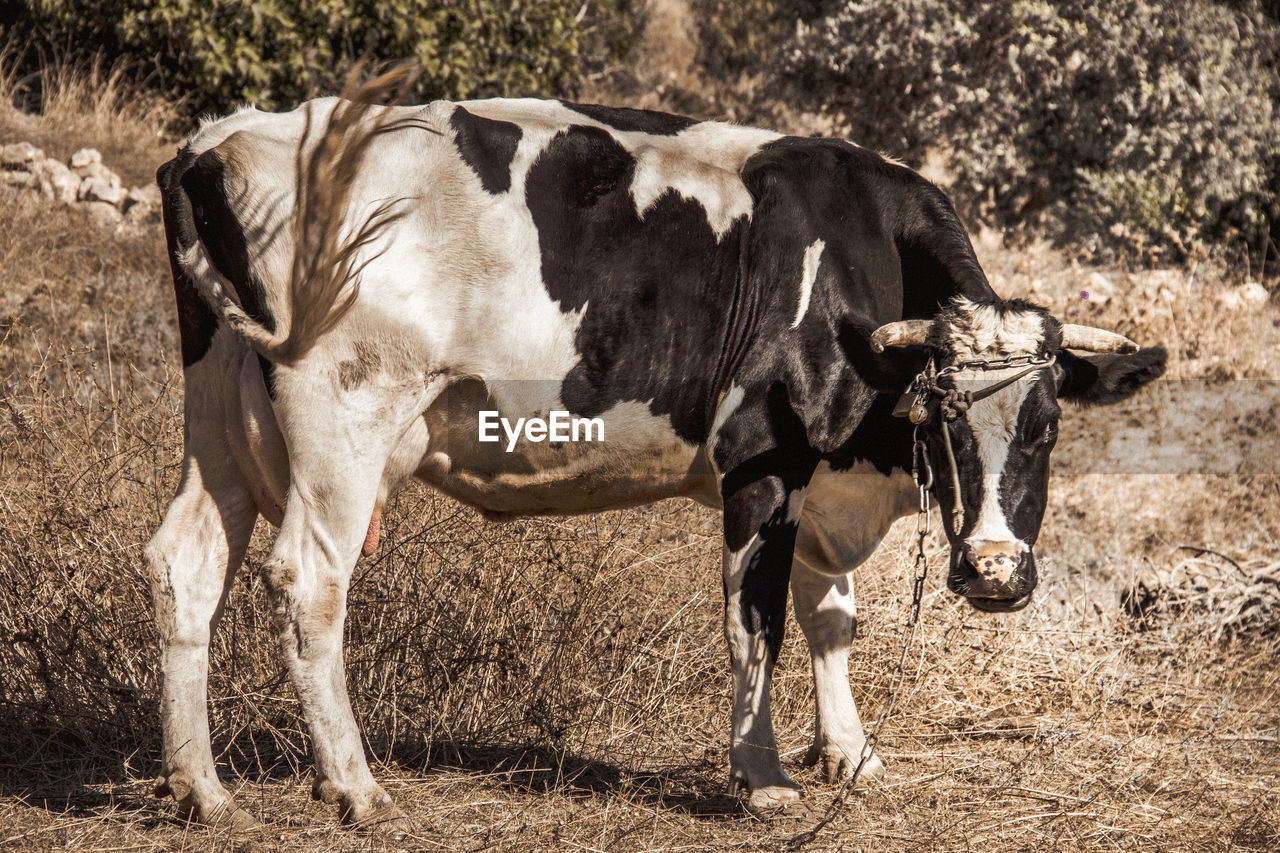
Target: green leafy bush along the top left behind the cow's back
[{"x": 276, "y": 53}]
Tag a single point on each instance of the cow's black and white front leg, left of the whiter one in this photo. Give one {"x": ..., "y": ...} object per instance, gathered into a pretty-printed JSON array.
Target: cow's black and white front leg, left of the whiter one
[{"x": 760, "y": 535}]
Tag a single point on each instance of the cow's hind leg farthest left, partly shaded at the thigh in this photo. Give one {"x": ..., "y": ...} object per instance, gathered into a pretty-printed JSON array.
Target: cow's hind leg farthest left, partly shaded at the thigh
[{"x": 194, "y": 559}]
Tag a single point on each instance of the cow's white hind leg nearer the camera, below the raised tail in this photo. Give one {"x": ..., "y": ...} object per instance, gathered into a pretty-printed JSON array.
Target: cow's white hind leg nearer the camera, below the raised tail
[{"x": 337, "y": 469}]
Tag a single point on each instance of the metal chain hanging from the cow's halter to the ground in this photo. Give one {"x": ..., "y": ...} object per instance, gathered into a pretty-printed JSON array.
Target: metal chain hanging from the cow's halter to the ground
[{"x": 924, "y": 476}]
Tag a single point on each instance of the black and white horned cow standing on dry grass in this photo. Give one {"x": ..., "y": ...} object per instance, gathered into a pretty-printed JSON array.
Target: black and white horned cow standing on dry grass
[{"x": 739, "y": 309}]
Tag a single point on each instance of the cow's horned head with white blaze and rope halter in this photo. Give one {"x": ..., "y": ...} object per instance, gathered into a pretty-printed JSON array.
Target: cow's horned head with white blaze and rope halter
[{"x": 990, "y": 417}]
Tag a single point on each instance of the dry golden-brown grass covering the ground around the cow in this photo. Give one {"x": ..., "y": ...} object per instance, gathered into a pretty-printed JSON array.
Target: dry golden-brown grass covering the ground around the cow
[{"x": 563, "y": 685}]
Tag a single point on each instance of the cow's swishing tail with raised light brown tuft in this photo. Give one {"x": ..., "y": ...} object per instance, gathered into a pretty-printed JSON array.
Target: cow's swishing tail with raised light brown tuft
[{"x": 328, "y": 253}]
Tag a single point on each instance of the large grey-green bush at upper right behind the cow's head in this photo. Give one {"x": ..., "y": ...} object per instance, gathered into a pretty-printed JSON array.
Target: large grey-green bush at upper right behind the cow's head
[{"x": 1140, "y": 118}]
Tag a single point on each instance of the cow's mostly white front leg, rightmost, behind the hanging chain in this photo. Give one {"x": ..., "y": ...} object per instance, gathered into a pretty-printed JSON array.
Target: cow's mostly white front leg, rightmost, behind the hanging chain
[{"x": 825, "y": 609}]
